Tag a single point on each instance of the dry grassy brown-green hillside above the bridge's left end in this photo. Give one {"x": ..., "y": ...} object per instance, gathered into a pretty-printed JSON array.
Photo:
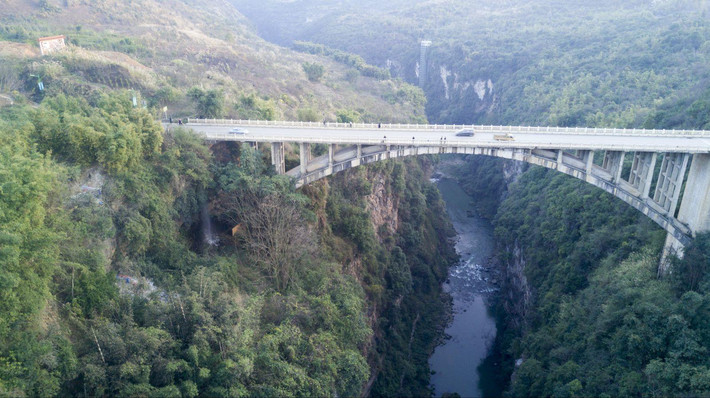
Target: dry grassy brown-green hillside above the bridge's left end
[{"x": 164, "y": 48}]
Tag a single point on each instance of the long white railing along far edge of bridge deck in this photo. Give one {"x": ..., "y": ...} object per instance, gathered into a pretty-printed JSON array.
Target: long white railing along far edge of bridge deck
[{"x": 450, "y": 127}]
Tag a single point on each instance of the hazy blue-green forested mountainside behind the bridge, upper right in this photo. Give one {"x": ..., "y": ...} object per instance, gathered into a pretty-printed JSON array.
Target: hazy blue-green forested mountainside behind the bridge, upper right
[{"x": 566, "y": 63}]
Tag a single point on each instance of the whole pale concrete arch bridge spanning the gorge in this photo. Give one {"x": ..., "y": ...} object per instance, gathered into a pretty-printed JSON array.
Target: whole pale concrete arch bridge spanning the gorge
[{"x": 665, "y": 174}]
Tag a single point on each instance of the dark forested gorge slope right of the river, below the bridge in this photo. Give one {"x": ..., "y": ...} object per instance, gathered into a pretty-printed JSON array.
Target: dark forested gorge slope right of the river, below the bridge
[{"x": 585, "y": 312}]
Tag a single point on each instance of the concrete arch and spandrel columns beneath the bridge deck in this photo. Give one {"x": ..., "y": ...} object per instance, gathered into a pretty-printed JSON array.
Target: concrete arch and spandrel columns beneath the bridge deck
[{"x": 650, "y": 182}]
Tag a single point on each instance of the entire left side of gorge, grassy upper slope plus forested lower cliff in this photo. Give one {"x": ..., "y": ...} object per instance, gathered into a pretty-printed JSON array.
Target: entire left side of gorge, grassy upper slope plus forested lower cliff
[{"x": 108, "y": 287}]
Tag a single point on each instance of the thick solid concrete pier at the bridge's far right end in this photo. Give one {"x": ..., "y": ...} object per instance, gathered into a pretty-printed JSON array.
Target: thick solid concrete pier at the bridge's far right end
[{"x": 695, "y": 207}]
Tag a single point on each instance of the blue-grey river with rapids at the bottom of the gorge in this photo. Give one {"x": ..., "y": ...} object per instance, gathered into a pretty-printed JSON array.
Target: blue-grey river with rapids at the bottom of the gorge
[{"x": 455, "y": 363}]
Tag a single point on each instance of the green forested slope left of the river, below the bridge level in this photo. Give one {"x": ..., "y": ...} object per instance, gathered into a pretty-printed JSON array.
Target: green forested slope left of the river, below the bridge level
[{"x": 108, "y": 289}]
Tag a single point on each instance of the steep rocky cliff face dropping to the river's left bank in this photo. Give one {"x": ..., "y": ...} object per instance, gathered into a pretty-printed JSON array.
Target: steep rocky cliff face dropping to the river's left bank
[{"x": 386, "y": 223}]
